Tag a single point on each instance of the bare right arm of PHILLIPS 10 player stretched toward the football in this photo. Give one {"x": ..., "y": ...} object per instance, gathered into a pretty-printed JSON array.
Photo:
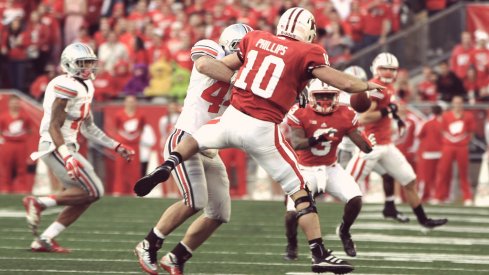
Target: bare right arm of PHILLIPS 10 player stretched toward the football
[{"x": 343, "y": 81}]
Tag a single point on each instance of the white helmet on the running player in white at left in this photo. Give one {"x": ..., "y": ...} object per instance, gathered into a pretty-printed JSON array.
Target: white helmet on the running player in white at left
[{"x": 79, "y": 60}]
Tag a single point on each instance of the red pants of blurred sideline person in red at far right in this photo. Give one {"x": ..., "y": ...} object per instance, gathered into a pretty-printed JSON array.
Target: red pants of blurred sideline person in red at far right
[{"x": 460, "y": 154}]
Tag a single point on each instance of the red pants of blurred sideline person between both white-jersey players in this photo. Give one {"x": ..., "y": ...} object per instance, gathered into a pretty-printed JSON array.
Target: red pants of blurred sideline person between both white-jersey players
[{"x": 126, "y": 173}]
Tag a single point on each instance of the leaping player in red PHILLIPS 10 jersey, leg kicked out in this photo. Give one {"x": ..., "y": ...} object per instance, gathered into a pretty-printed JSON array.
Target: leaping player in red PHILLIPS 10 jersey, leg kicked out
[{"x": 273, "y": 69}]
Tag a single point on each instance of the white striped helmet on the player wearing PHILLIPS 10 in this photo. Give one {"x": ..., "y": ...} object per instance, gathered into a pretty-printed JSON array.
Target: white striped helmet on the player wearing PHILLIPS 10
[{"x": 297, "y": 23}]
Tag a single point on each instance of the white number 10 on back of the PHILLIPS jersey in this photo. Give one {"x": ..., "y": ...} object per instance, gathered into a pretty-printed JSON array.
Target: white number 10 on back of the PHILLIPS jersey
[{"x": 256, "y": 86}]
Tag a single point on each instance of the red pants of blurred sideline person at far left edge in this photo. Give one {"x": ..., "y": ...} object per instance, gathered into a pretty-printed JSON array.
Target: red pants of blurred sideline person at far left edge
[{"x": 13, "y": 167}]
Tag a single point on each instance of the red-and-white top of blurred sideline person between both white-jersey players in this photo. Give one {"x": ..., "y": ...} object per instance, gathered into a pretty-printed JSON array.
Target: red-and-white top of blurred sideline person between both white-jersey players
[{"x": 129, "y": 128}]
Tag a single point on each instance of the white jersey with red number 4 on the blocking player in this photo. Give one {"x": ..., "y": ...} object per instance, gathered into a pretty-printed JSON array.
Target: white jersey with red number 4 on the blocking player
[{"x": 206, "y": 98}]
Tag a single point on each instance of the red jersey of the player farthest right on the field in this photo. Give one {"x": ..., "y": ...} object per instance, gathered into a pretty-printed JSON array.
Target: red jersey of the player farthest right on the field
[{"x": 381, "y": 128}]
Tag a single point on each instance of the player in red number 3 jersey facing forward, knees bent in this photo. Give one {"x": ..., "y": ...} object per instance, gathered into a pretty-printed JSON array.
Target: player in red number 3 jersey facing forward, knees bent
[{"x": 316, "y": 132}]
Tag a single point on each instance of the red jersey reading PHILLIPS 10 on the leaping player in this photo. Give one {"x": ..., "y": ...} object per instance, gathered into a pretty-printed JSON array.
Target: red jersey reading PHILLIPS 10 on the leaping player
[{"x": 275, "y": 69}]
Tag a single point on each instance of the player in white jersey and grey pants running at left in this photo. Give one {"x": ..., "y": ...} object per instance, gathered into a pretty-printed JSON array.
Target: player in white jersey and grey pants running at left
[{"x": 67, "y": 112}]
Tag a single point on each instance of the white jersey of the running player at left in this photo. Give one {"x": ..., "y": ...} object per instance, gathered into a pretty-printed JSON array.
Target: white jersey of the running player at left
[{"x": 79, "y": 99}]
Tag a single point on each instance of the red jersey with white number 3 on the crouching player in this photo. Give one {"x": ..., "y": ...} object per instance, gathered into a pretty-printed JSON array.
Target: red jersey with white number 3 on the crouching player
[{"x": 343, "y": 120}]
